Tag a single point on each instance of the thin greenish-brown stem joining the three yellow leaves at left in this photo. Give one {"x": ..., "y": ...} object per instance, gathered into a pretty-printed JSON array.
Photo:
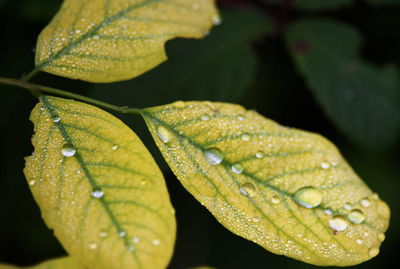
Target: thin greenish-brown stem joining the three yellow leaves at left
[{"x": 37, "y": 90}]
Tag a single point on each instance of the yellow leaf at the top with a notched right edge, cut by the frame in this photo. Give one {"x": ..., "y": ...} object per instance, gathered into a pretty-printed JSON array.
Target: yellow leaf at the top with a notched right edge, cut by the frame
[{"x": 105, "y": 41}]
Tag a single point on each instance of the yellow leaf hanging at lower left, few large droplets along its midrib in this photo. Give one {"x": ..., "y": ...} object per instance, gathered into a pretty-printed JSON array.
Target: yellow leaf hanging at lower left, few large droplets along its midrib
[{"x": 99, "y": 188}]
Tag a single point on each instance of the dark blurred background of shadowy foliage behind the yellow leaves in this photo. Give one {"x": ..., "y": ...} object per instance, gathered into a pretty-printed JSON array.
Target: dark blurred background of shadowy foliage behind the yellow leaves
[{"x": 328, "y": 66}]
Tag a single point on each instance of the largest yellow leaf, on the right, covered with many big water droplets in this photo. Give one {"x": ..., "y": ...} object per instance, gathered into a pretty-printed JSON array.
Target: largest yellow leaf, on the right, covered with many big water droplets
[{"x": 288, "y": 190}]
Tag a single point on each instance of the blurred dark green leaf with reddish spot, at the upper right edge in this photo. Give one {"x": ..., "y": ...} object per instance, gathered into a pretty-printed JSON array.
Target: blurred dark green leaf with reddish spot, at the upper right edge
[{"x": 357, "y": 96}]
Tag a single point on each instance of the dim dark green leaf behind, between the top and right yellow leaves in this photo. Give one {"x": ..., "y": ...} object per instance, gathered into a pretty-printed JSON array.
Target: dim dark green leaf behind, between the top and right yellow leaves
[{"x": 220, "y": 67}]
